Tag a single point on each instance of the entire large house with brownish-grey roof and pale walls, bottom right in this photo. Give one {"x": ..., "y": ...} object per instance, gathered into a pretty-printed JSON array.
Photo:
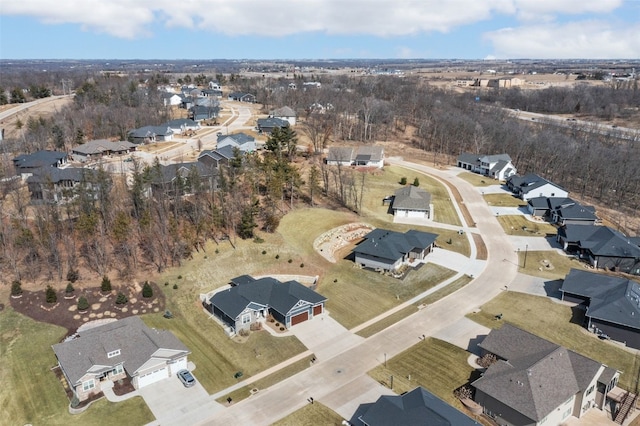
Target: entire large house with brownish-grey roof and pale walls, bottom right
[{"x": 536, "y": 382}]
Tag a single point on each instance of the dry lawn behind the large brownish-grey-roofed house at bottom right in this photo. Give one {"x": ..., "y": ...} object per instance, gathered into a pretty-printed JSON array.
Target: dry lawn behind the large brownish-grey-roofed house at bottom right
[{"x": 553, "y": 321}]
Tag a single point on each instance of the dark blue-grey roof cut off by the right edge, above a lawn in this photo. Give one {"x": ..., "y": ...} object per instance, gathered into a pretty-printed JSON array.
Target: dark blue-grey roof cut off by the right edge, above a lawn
[{"x": 612, "y": 299}]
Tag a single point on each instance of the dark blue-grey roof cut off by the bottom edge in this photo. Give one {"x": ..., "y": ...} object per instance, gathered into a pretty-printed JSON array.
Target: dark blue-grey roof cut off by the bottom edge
[{"x": 418, "y": 407}]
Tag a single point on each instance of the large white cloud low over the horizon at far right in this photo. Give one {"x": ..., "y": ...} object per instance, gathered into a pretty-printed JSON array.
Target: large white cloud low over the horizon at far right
[{"x": 587, "y": 39}]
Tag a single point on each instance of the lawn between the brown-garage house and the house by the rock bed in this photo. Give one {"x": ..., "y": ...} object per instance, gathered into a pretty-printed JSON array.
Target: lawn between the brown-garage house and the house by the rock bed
[{"x": 358, "y": 295}]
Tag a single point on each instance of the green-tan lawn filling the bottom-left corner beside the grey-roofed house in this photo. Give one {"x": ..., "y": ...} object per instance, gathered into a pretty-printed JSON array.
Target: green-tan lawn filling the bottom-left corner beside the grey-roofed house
[{"x": 30, "y": 391}]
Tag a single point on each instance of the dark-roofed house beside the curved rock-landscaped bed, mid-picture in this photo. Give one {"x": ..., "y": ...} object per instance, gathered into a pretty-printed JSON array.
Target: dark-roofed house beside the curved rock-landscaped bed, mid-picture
[{"x": 389, "y": 250}]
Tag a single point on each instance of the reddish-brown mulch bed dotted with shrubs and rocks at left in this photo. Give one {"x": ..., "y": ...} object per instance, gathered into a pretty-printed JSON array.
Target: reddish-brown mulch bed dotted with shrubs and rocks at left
[{"x": 101, "y": 306}]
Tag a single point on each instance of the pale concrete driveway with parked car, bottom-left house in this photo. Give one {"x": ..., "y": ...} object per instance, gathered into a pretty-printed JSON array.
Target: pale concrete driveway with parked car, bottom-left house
[{"x": 169, "y": 400}]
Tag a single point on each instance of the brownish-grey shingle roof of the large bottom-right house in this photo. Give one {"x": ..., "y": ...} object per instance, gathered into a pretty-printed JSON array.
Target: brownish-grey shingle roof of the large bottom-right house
[{"x": 538, "y": 376}]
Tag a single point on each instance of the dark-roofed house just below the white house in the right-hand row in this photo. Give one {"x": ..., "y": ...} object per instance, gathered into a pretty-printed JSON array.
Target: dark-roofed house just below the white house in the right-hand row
[{"x": 562, "y": 211}]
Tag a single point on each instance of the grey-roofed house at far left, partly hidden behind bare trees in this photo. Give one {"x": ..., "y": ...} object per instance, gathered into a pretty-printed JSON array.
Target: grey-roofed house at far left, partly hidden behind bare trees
[{"x": 53, "y": 185}]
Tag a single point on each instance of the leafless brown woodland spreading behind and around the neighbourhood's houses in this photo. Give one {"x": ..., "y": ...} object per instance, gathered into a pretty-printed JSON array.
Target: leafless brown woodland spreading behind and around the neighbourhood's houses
[{"x": 112, "y": 226}]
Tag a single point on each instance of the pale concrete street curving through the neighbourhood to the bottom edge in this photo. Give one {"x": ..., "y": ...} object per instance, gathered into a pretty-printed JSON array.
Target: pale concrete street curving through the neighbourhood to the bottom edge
[{"x": 339, "y": 381}]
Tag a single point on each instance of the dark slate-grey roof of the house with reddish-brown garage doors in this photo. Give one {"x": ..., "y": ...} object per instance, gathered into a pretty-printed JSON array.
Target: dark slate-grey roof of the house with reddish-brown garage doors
[{"x": 267, "y": 292}]
